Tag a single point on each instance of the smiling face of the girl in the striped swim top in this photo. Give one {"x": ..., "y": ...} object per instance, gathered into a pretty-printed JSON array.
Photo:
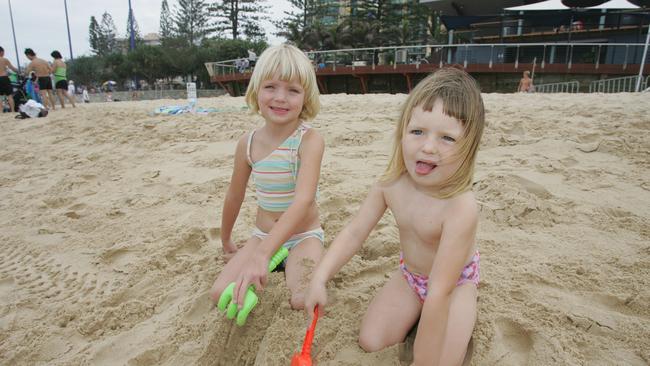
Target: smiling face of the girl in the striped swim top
[{"x": 280, "y": 101}]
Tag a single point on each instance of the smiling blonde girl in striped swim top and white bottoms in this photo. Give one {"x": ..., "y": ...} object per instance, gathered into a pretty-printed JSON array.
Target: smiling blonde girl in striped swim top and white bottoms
[{"x": 284, "y": 158}]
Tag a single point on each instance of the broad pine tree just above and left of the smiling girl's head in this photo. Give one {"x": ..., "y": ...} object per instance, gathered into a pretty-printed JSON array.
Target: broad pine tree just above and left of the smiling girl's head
[{"x": 238, "y": 17}]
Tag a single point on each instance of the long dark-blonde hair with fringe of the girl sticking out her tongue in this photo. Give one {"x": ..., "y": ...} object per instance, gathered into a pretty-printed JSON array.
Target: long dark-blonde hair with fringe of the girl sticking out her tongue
[{"x": 461, "y": 99}]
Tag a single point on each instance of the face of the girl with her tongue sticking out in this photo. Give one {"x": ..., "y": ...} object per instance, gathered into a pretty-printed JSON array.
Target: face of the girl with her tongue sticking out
[{"x": 429, "y": 145}]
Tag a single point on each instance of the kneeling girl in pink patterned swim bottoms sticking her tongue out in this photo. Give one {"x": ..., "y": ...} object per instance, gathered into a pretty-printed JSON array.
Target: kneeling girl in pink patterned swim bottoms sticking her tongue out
[{"x": 427, "y": 187}]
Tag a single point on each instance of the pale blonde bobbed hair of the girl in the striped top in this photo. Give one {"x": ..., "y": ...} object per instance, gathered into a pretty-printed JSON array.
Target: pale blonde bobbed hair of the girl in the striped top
[{"x": 288, "y": 63}]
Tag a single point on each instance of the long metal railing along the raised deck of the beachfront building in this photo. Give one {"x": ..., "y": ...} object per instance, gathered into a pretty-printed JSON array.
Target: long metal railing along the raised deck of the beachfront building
[{"x": 542, "y": 54}]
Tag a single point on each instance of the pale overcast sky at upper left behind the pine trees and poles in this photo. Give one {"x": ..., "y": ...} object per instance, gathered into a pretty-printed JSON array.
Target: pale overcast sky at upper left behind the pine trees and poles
[{"x": 40, "y": 24}]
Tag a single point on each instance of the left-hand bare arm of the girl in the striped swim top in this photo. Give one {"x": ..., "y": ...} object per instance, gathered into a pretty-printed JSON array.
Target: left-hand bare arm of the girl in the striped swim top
[{"x": 235, "y": 195}]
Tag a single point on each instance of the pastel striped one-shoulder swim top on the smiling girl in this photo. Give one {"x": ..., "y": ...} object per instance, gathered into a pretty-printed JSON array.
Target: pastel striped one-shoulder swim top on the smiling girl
[{"x": 275, "y": 175}]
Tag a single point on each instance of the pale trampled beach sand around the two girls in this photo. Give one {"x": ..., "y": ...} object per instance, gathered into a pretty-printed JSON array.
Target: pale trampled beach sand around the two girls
[{"x": 109, "y": 227}]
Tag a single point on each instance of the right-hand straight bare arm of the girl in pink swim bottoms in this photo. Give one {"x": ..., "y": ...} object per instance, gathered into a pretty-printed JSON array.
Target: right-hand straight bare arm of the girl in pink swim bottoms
[{"x": 456, "y": 242}]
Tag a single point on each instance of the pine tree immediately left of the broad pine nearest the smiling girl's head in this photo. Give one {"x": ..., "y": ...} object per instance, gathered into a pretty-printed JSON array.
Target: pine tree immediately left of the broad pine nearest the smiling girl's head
[{"x": 191, "y": 20}]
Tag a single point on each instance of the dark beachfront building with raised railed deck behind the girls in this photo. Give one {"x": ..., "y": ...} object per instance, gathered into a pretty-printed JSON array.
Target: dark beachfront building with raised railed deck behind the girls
[{"x": 596, "y": 47}]
